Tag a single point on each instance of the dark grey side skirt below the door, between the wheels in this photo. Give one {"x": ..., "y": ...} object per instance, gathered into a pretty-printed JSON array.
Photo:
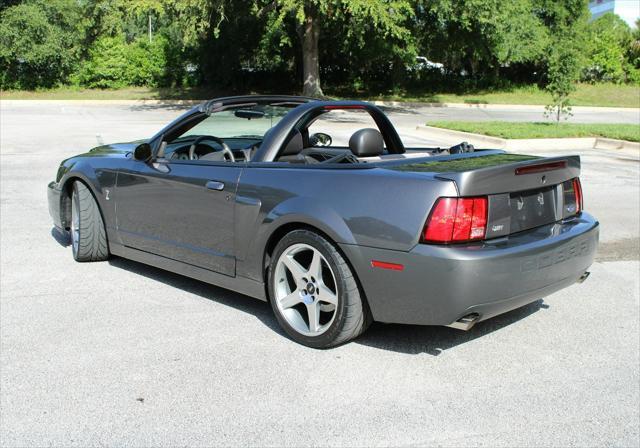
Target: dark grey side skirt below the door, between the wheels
[{"x": 239, "y": 284}]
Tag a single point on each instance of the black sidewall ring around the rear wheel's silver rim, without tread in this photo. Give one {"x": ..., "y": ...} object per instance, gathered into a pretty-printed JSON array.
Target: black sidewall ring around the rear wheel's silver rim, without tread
[{"x": 325, "y": 248}]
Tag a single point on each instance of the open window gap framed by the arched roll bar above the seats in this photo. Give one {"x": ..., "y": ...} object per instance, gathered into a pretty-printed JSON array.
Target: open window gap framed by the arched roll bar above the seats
[{"x": 341, "y": 124}]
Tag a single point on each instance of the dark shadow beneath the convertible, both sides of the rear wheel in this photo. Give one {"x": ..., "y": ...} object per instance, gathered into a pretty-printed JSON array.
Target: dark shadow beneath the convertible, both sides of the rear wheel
[{"x": 410, "y": 339}]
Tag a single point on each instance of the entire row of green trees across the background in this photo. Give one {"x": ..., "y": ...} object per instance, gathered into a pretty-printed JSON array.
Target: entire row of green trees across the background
[{"x": 293, "y": 45}]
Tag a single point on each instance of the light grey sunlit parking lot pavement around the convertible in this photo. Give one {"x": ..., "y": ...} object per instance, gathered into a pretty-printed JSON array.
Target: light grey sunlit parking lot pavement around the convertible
[{"x": 118, "y": 353}]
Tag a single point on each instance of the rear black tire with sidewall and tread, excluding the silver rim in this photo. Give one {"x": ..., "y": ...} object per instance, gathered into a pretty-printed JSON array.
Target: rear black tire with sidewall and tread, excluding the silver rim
[{"x": 352, "y": 316}]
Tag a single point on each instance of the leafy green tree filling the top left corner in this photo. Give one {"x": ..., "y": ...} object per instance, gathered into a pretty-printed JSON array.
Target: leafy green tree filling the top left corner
[{"x": 40, "y": 43}]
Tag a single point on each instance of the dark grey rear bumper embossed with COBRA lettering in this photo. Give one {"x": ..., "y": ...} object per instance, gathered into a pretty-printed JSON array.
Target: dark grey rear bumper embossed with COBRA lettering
[{"x": 441, "y": 284}]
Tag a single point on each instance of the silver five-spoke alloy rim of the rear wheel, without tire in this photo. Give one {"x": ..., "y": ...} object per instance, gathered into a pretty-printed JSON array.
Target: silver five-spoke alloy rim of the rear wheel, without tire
[{"x": 306, "y": 293}]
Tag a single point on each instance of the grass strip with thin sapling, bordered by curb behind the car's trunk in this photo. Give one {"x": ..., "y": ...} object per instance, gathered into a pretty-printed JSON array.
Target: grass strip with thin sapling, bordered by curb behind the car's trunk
[{"x": 504, "y": 129}]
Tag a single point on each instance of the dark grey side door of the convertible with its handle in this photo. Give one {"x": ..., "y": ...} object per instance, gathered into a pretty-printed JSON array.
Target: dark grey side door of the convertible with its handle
[{"x": 182, "y": 210}]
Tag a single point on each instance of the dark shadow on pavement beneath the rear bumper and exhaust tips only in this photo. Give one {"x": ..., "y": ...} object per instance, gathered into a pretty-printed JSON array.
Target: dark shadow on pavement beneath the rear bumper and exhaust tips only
[{"x": 433, "y": 340}]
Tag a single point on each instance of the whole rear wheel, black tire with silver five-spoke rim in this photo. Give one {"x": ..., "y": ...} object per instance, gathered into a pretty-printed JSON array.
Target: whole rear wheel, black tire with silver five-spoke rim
[{"x": 314, "y": 293}]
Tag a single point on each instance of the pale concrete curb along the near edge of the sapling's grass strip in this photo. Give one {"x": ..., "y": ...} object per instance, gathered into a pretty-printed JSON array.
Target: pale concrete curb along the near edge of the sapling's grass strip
[{"x": 453, "y": 137}]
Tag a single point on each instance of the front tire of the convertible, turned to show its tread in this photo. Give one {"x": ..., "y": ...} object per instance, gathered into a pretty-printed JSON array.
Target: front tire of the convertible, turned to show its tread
[{"x": 88, "y": 235}]
